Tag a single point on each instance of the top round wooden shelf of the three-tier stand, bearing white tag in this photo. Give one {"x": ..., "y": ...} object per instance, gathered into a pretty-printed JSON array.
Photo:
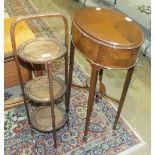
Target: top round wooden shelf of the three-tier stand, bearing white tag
[{"x": 41, "y": 50}]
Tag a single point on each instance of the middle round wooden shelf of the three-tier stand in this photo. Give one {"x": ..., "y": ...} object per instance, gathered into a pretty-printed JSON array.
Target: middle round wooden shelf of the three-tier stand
[{"x": 38, "y": 89}]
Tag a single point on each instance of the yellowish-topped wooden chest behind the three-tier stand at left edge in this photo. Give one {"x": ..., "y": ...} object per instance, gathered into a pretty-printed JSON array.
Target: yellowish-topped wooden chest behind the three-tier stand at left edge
[{"x": 23, "y": 33}]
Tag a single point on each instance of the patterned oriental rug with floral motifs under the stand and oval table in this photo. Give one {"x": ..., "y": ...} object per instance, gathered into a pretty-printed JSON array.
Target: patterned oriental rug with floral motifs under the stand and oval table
[{"x": 101, "y": 139}]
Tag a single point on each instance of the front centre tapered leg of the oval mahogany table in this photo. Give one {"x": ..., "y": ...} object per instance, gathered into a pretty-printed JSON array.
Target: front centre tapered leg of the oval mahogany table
[{"x": 93, "y": 81}]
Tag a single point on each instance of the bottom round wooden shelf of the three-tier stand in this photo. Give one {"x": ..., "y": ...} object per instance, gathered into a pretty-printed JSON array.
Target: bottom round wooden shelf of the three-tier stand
[{"x": 41, "y": 119}]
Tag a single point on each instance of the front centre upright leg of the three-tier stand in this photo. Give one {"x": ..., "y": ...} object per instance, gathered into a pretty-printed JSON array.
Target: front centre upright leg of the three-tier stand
[{"x": 50, "y": 76}]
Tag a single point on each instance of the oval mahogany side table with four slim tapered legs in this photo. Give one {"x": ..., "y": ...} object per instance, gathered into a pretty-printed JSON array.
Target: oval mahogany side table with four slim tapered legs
[{"x": 108, "y": 40}]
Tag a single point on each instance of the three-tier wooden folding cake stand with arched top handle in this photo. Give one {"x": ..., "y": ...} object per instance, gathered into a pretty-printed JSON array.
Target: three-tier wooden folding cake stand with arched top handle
[{"x": 48, "y": 88}]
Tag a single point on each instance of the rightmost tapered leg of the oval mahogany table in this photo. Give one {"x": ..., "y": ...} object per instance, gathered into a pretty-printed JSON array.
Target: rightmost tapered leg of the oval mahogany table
[{"x": 124, "y": 92}]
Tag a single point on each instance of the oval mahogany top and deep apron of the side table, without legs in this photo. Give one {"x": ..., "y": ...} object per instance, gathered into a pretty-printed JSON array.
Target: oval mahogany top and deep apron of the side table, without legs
[{"x": 106, "y": 37}]
